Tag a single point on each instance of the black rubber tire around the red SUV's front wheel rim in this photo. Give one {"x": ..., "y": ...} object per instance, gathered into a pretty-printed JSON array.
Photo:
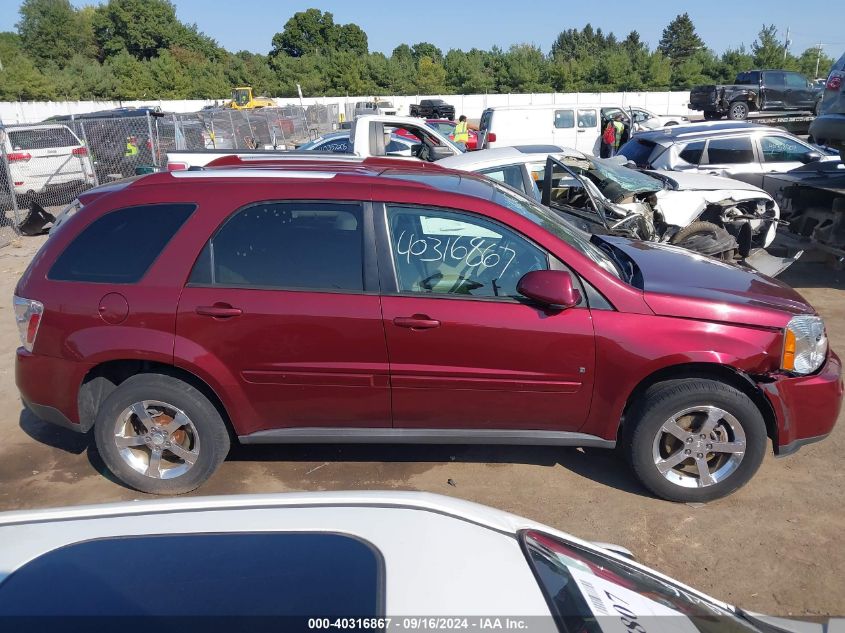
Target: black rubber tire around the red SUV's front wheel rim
[{"x": 660, "y": 404}]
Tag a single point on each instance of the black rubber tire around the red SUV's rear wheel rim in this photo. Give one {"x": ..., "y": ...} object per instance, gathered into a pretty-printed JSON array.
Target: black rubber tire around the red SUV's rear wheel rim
[{"x": 212, "y": 442}]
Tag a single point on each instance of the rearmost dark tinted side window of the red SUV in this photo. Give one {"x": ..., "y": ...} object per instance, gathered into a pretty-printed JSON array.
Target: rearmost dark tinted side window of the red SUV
[{"x": 120, "y": 246}]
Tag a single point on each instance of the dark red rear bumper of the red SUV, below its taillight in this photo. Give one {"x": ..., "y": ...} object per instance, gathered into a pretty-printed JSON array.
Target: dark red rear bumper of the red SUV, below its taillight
[{"x": 49, "y": 388}]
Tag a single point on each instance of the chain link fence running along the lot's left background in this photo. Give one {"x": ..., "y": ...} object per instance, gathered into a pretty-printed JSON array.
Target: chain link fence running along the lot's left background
[{"x": 50, "y": 163}]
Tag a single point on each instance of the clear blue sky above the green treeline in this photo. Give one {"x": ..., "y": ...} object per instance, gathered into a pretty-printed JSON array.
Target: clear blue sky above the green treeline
[{"x": 251, "y": 24}]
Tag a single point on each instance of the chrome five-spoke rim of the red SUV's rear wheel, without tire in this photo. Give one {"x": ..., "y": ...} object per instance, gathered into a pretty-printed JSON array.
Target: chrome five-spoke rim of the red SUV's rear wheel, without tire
[{"x": 156, "y": 439}]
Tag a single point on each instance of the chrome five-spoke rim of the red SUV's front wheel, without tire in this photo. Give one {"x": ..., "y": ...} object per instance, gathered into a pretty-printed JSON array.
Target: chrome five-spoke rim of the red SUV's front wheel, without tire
[{"x": 699, "y": 447}]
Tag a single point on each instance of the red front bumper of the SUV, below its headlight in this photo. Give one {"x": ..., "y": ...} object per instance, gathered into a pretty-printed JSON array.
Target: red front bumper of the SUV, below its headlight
[{"x": 806, "y": 407}]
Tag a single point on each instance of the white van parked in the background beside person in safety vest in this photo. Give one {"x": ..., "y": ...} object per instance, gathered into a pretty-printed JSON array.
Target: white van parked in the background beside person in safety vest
[{"x": 578, "y": 126}]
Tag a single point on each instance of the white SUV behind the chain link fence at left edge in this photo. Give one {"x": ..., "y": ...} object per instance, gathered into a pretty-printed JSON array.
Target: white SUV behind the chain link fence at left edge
[{"x": 45, "y": 158}]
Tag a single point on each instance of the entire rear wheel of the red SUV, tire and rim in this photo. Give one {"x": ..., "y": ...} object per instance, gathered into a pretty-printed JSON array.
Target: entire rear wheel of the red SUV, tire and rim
[{"x": 160, "y": 435}]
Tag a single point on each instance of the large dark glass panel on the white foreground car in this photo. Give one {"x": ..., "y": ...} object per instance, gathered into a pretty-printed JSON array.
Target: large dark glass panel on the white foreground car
[{"x": 242, "y": 575}]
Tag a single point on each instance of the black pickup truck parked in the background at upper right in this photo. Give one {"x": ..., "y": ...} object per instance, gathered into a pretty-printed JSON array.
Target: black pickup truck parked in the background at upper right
[{"x": 756, "y": 90}]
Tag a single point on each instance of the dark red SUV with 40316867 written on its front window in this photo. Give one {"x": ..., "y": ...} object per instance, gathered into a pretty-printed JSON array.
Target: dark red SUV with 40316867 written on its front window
[{"x": 334, "y": 301}]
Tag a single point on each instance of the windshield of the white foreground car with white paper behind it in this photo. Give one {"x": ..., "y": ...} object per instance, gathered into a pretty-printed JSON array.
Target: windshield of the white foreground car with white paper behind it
[{"x": 587, "y": 590}]
